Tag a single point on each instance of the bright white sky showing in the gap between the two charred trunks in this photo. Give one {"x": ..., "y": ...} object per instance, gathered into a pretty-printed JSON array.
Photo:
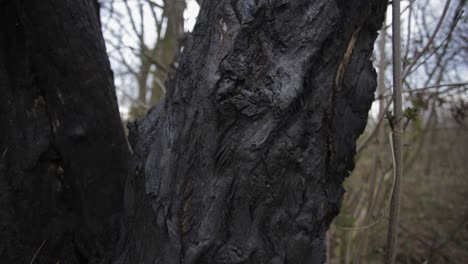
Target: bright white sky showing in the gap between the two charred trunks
[{"x": 124, "y": 27}]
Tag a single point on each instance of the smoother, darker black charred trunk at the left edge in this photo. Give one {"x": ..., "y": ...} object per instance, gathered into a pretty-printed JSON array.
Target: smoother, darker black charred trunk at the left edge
[{"x": 63, "y": 154}]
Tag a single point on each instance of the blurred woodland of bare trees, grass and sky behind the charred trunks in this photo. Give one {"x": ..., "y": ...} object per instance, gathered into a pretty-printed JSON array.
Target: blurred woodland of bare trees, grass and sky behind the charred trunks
[{"x": 145, "y": 39}]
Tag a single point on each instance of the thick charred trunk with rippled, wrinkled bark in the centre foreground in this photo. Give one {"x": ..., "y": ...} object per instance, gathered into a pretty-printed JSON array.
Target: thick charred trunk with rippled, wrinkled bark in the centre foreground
[{"x": 244, "y": 160}]
